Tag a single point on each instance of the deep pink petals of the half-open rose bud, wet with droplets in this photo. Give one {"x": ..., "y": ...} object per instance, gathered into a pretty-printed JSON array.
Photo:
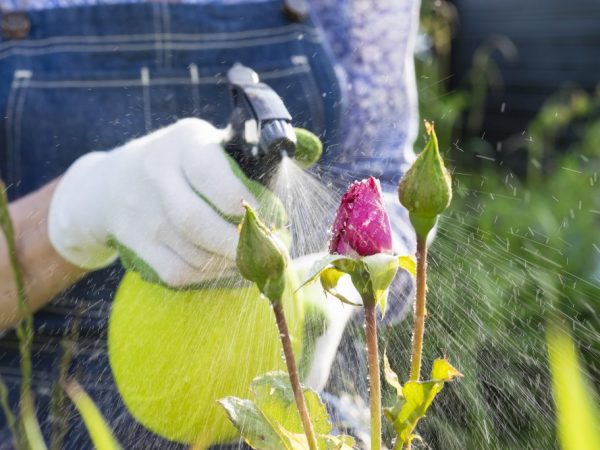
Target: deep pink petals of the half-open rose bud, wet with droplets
[{"x": 362, "y": 225}]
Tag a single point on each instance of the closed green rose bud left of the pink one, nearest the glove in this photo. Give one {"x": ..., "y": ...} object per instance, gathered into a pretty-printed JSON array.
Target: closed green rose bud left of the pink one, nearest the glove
[{"x": 261, "y": 257}]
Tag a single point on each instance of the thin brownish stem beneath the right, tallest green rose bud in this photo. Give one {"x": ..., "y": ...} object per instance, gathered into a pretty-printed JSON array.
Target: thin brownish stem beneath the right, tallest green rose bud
[{"x": 420, "y": 310}]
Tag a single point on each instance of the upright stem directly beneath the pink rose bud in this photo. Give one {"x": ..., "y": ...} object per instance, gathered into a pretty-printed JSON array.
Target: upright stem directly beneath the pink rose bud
[{"x": 374, "y": 383}]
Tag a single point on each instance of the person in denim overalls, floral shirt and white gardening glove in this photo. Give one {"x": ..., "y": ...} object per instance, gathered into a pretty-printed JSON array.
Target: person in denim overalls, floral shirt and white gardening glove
[{"x": 111, "y": 93}]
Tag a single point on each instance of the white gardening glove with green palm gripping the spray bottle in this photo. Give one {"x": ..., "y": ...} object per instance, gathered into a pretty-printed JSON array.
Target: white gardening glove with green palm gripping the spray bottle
[{"x": 168, "y": 203}]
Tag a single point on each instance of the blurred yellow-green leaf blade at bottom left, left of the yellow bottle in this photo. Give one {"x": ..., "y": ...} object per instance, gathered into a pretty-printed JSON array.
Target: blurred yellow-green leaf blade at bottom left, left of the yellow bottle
[{"x": 97, "y": 427}]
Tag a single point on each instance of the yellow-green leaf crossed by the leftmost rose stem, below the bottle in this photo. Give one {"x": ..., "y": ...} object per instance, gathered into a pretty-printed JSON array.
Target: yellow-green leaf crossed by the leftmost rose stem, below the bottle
[{"x": 275, "y": 399}]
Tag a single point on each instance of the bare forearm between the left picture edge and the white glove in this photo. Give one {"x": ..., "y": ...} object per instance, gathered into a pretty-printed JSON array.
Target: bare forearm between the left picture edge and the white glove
[{"x": 45, "y": 272}]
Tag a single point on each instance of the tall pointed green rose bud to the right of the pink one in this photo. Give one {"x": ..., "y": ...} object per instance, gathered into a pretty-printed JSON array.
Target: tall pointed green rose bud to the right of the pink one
[{"x": 426, "y": 189}]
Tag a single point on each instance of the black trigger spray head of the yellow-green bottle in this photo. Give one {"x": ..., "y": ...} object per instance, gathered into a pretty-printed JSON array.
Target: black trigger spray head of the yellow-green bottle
[{"x": 256, "y": 105}]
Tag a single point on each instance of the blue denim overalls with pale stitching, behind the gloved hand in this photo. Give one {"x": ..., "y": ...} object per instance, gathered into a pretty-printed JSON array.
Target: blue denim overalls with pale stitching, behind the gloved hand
[{"x": 92, "y": 78}]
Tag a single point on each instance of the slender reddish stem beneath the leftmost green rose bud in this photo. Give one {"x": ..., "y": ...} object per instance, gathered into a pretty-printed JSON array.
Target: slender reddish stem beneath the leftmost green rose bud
[{"x": 286, "y": 343}]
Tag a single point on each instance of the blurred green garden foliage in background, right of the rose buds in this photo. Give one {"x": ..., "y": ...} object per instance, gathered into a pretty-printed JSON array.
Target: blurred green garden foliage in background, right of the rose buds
[{"x": 511, "y": 254}]
